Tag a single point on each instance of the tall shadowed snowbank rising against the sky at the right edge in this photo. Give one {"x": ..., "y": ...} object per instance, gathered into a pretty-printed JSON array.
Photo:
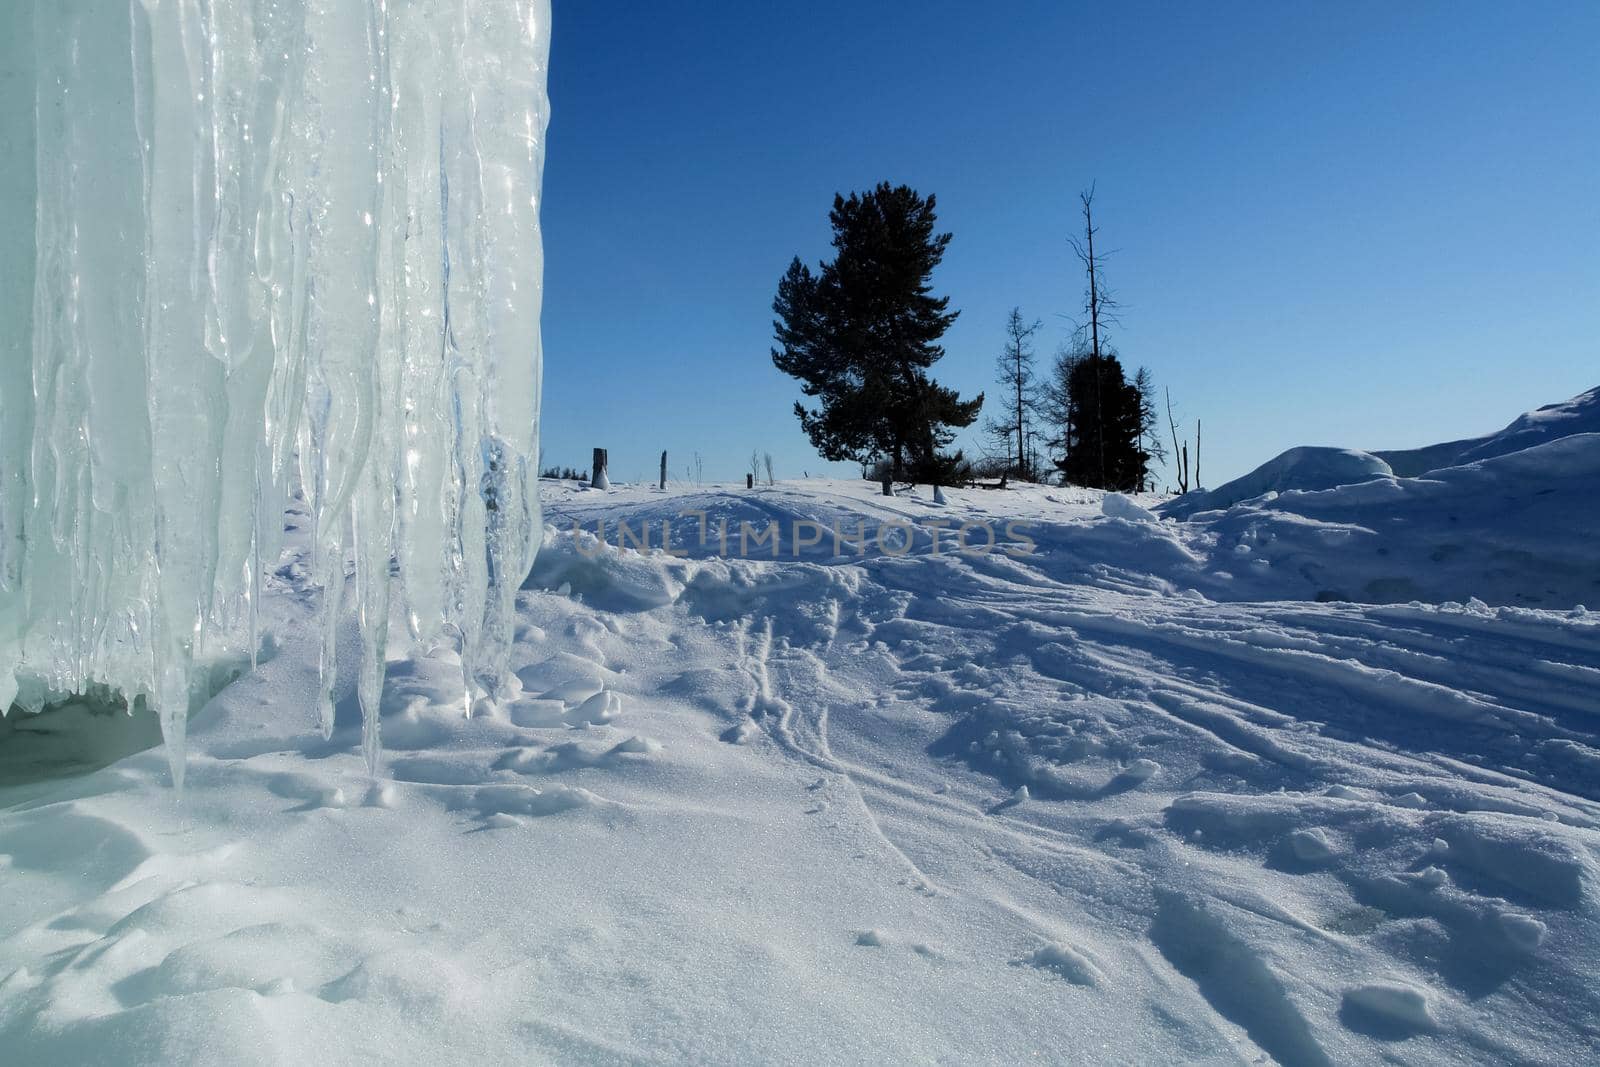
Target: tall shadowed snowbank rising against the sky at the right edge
[{"x": 1508, "y": 519}]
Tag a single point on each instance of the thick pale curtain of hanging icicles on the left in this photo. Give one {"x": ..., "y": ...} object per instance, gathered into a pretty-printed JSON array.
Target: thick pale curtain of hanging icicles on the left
[{"x": 265, "y": 247}]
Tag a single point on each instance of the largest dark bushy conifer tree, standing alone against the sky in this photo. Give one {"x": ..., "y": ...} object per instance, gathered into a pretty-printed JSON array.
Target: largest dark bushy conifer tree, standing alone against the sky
[{"x": 863, "y": 332}]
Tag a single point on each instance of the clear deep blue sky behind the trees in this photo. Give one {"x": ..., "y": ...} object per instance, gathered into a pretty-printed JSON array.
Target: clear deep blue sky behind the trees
[{"x": 1361, "y": 225}]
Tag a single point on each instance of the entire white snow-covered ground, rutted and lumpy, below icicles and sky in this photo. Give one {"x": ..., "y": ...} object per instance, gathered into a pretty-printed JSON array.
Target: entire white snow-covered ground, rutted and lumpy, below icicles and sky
[{"x": 1314, "y": 778}]
